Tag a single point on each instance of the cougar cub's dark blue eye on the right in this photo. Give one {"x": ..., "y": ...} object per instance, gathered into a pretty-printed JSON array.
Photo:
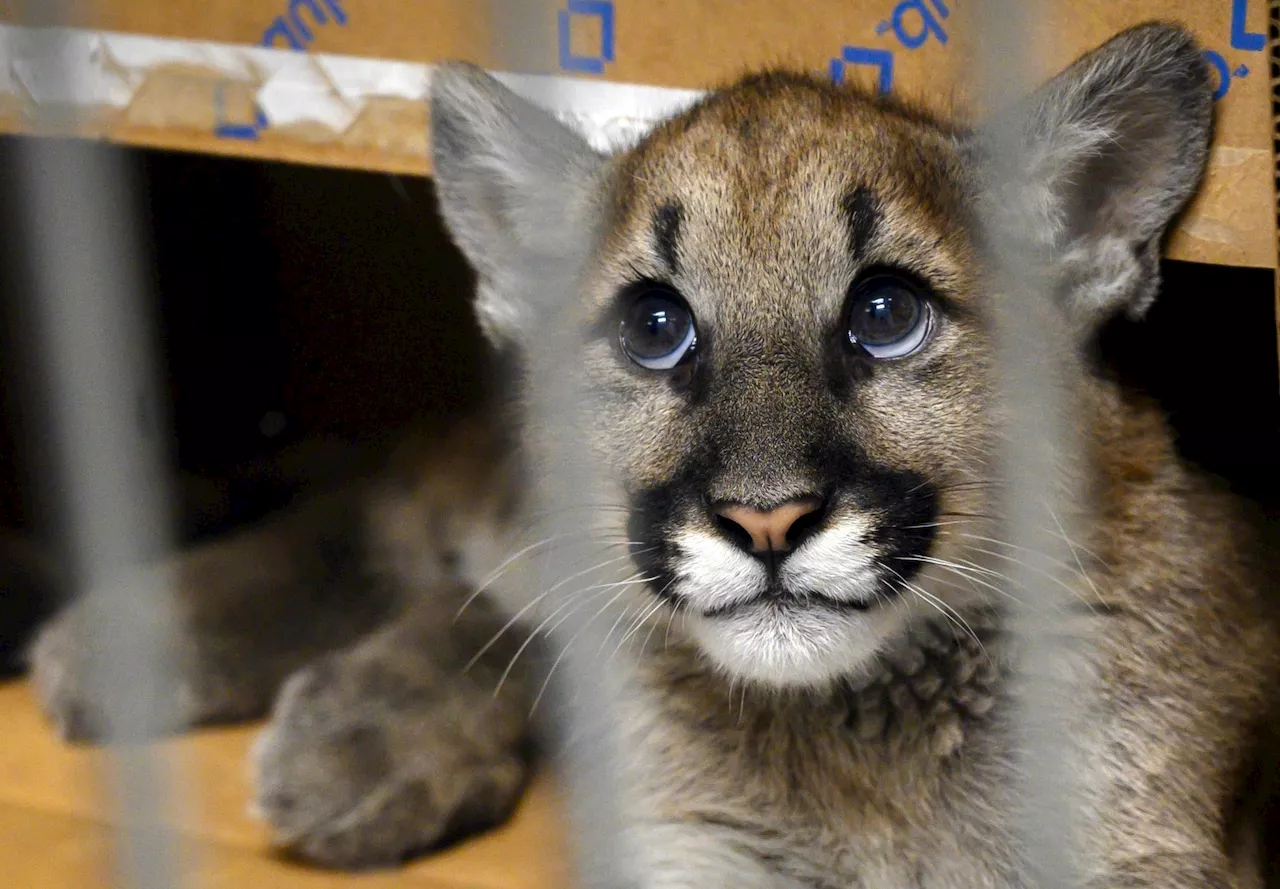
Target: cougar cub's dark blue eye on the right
[{"x": 889, "y": 317}]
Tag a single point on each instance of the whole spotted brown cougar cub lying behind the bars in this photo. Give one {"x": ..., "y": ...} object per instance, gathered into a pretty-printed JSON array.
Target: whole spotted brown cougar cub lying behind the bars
[{"x": 785, "y": 311}]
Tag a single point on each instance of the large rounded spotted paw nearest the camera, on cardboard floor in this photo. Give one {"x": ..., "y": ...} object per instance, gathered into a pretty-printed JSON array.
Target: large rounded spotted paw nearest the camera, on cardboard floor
[{"x": 364, "y": 766}]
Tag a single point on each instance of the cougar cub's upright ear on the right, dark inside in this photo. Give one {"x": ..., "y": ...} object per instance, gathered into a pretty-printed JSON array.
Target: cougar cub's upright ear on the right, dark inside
[{"x": 1113, "y": 149}]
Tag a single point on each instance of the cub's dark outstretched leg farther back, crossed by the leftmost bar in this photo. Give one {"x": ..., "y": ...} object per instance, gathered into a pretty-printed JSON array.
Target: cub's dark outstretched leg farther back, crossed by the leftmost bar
[{"x": 250, "y": 610}]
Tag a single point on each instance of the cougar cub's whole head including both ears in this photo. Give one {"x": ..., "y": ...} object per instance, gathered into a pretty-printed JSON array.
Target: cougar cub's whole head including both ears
[{"x": 784, "y": 305}]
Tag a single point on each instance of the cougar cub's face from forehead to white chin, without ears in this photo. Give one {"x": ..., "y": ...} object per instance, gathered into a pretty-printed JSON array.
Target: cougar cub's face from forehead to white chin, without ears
[{"x": 790, "y": 336}]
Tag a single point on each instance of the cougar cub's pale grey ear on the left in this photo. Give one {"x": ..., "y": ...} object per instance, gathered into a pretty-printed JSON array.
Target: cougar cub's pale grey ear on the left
[{"x": 514, "y": 186}]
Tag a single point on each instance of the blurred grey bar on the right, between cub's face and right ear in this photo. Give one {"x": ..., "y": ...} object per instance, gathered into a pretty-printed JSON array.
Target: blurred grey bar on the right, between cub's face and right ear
[{"x": 1037, "y": 452}]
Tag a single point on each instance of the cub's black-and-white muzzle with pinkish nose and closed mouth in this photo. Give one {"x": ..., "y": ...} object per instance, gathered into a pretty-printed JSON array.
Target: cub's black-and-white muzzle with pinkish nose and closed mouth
[{"x": 849, "y": 548}]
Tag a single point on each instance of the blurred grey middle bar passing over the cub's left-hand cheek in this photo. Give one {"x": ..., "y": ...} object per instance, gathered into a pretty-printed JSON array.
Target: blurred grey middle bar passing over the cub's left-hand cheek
[{"x": 583, "y": 698}]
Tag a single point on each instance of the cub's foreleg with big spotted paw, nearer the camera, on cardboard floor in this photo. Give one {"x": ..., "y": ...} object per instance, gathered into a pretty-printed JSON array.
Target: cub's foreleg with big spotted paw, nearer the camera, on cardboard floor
[{"x": 394, "y": 746}]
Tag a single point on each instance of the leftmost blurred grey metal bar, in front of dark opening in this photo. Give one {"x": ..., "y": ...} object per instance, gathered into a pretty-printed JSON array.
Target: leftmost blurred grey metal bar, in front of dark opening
[{"x": 90, "y": 334}]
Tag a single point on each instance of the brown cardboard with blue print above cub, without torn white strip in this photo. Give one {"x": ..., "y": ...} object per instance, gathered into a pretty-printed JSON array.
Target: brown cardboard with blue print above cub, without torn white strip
[{"x": 671, "y": 44}]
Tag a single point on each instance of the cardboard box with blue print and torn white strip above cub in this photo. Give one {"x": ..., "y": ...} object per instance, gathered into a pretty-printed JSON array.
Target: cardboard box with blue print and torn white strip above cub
[{"x": 342, "y": 81}]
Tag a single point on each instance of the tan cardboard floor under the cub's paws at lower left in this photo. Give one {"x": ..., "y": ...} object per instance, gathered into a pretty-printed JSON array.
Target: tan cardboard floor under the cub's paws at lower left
[{"x": 54, "y": 822}]
